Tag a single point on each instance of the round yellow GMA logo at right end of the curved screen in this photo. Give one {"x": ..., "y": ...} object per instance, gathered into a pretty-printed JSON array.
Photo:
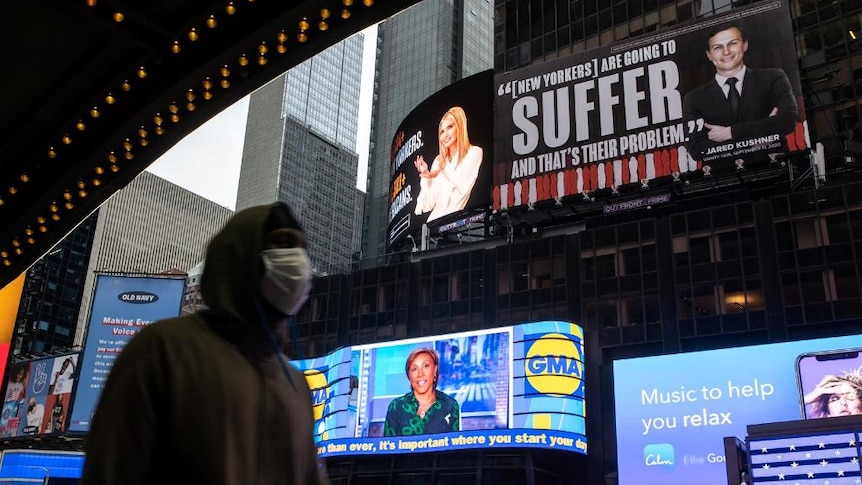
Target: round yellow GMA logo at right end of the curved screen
[{"x": 554, "y": 365}]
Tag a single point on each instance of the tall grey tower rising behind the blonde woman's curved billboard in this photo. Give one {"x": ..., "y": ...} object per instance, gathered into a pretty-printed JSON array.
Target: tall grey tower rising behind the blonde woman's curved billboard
[{"x": 419, "y": 51}]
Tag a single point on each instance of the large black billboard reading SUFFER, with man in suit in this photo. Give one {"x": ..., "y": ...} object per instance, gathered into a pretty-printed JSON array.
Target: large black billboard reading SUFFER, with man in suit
[{"x": 650, "y": 107}]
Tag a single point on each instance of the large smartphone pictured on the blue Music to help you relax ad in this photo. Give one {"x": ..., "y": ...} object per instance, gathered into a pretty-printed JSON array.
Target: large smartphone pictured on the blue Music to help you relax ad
[{"x": 830, "y": 383}]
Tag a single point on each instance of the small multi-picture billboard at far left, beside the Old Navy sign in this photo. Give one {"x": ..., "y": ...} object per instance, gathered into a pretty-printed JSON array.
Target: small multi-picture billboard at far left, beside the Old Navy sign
[{"x": 38, "y": 396}]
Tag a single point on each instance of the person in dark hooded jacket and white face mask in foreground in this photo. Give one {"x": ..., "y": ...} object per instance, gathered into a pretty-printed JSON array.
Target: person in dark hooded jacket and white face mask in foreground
[{"x": 210, "y": 398}]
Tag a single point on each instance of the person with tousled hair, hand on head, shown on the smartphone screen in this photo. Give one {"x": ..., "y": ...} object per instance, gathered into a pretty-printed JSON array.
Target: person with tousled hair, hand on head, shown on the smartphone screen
[{"x": 836, "y": 395}]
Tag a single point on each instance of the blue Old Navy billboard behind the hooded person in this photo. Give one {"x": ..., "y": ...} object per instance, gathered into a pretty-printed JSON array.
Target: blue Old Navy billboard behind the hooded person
[{"x": 122, "y": 305}]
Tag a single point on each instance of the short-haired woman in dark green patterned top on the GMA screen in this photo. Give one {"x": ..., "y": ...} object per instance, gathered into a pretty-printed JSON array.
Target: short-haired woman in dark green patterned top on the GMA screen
[{"x": 423, "y": 410}]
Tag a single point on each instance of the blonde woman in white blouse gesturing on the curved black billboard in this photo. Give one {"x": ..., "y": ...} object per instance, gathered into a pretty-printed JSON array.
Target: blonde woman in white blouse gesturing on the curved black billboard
[{"x": 445, "y": 187}]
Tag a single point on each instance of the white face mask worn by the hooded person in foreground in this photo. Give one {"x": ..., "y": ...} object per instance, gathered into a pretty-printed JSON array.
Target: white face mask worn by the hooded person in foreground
[{"x": 286, "y": 280}]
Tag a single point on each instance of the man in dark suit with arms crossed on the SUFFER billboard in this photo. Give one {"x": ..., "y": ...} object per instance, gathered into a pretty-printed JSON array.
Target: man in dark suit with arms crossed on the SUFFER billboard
[{"x": 741, "y": 107}]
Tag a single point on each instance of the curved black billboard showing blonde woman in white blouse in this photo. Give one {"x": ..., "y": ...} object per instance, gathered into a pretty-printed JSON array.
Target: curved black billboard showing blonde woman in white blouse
[{"x": 440, "y": 161}]
